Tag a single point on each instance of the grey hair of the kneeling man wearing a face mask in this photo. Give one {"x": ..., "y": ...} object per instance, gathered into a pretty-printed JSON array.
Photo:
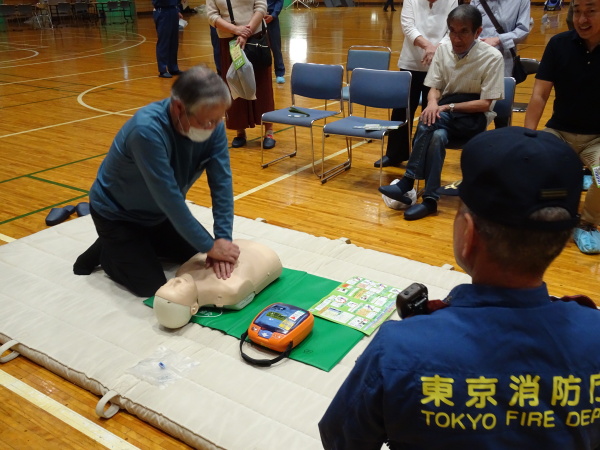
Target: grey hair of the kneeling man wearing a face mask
[{"x": 199, "y": 87}]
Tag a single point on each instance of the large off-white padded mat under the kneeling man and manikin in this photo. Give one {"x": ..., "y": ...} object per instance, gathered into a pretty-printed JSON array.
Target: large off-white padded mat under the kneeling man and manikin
[{"x": 90, "y": 331}]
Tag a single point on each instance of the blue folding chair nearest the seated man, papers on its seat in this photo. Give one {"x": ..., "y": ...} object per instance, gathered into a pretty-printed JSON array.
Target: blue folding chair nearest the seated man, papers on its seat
[{"x": 384, "y": 89}]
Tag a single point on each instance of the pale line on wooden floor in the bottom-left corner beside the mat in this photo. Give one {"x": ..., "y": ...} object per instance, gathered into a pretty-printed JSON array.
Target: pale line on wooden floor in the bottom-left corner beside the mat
[{"x": 61, "y": 412}]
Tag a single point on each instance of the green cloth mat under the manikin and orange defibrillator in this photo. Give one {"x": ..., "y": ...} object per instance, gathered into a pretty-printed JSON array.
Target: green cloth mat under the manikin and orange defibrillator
[{"x": 324, "y": 347}]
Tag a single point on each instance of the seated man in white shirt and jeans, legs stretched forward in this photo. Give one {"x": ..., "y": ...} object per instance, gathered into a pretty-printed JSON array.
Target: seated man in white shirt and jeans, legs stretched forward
[{"x": 465, "y": 77}]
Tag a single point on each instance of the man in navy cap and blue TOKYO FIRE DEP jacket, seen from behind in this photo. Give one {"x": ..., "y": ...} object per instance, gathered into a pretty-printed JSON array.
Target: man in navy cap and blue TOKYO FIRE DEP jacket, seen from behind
[{"x": 503, "y": 365}]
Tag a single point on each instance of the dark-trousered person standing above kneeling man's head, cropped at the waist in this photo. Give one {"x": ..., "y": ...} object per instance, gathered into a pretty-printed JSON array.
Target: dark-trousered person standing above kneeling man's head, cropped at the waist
[{"x": 166, "y": 18}]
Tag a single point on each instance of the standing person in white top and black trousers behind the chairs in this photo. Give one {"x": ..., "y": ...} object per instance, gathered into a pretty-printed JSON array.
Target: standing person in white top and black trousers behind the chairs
[{"x": 424, "y": 26}]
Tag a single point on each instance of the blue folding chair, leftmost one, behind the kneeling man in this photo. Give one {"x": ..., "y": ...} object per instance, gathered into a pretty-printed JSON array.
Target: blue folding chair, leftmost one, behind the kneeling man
[{"x": 312, "y": 81}]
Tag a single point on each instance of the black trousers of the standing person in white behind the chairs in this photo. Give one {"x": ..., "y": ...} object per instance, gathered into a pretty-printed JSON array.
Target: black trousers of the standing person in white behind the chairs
[{"x": 397, "y": 148}]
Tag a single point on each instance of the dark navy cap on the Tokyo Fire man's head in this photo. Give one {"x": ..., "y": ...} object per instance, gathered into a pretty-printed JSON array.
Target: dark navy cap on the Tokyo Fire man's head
[{"x": 510, "y": 173}]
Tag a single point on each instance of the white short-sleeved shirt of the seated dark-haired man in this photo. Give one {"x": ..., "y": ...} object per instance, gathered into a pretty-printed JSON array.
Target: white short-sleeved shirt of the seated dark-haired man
[{"x": 480, "y": 71}]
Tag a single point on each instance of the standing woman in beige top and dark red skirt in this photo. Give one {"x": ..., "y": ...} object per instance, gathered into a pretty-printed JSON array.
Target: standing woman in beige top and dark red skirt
[{"x": 248, "y": 15}]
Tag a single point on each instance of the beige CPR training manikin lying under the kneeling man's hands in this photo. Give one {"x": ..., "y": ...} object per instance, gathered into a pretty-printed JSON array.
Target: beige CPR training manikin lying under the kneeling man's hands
[{"x": 196, "y": 284}]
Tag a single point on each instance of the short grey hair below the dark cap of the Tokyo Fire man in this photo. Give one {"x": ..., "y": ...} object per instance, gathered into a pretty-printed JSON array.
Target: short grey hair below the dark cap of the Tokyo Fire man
[{"x": 524, "y": 250}]
